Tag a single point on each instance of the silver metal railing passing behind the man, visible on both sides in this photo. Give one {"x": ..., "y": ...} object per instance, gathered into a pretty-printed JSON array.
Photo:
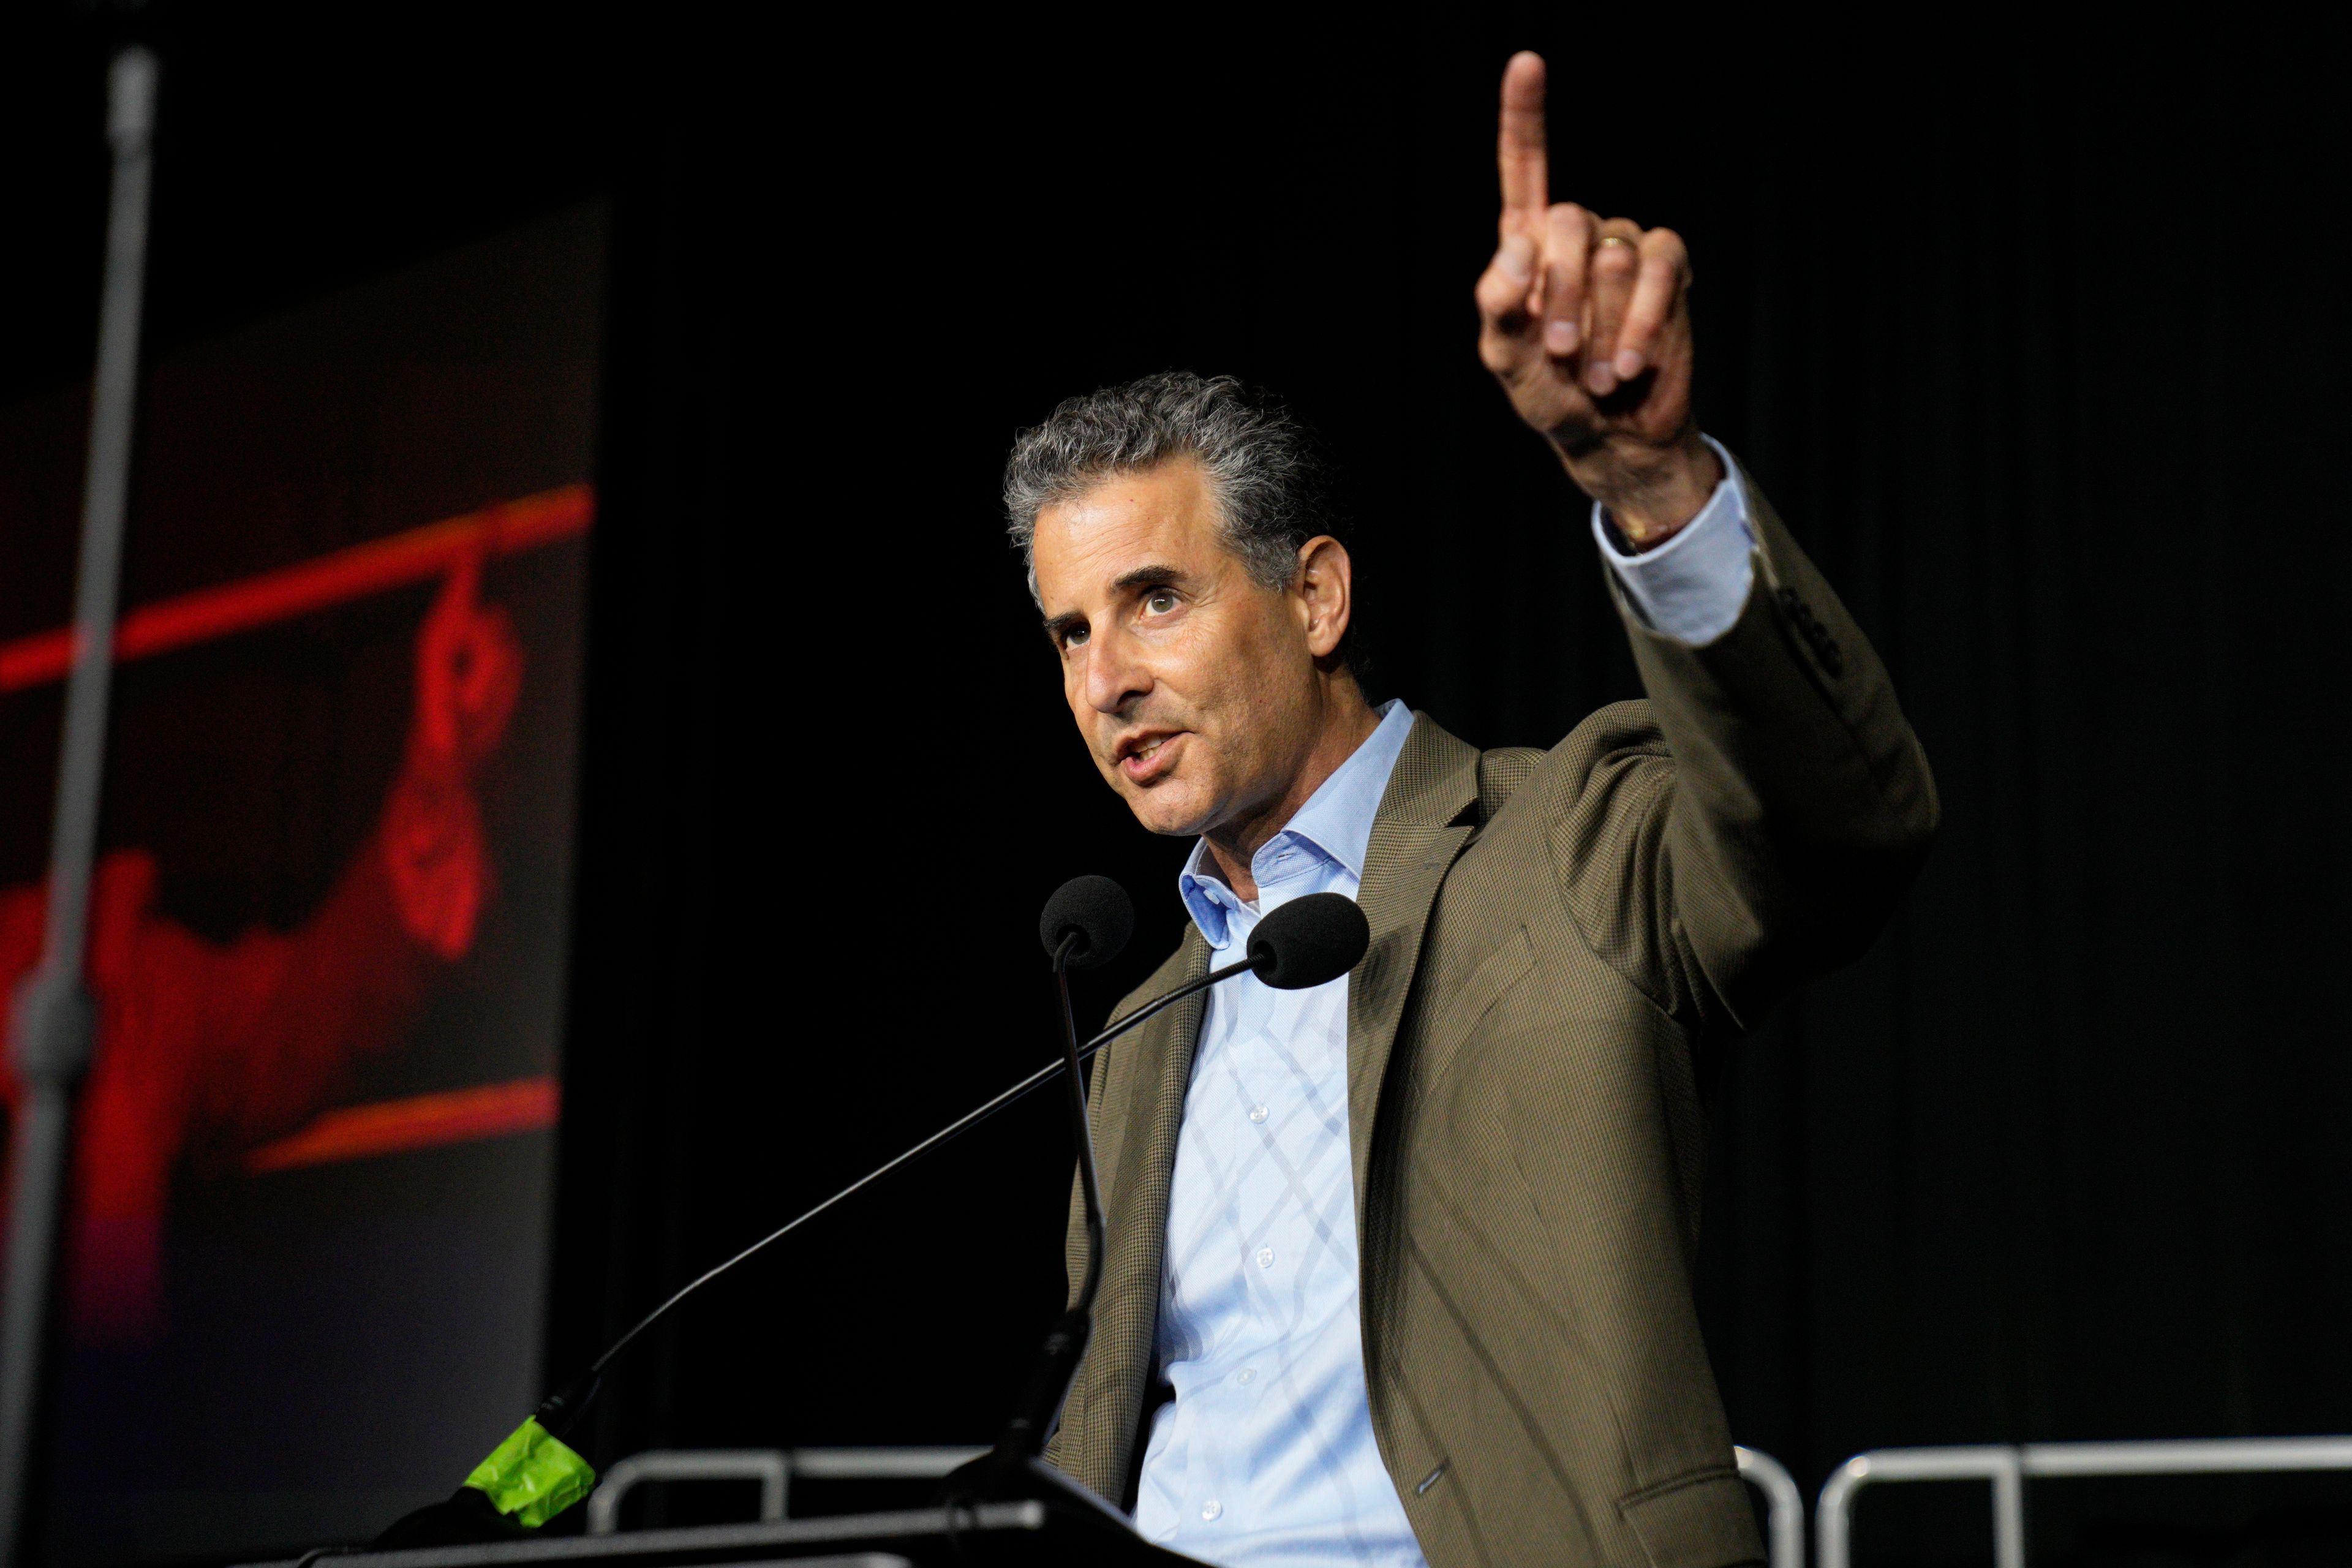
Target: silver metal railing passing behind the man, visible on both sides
[{"x": 775, "y": 1470}]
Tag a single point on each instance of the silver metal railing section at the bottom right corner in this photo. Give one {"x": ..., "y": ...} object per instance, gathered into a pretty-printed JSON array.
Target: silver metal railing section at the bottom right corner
[{"x": 2010, "y": 1466}]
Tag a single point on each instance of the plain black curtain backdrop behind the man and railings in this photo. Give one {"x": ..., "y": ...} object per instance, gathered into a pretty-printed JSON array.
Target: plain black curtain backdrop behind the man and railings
[{"x": 2033, "y": 335}]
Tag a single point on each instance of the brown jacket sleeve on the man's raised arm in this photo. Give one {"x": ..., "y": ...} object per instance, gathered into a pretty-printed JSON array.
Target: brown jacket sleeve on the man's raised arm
[{"x": 1756, "y": 826}]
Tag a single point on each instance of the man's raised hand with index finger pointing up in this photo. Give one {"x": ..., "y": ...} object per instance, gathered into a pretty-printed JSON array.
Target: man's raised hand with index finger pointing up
[{"x": 1589, "y": 328}]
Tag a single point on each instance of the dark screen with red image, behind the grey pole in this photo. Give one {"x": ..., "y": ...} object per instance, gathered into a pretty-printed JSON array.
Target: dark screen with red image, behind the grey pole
[{"x": 307, "y": 1254}]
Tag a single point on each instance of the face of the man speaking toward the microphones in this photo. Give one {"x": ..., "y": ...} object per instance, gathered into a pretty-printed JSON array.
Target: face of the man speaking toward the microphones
[{"x": 1191, "y": 683}]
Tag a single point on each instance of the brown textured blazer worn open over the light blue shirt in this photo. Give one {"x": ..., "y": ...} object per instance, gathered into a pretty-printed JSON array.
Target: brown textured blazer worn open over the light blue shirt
[{"x": 1551, "y": 934}]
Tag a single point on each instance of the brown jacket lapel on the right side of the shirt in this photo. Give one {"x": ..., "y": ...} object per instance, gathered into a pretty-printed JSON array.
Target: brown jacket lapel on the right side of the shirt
[{"x": 1415, "y": 840}]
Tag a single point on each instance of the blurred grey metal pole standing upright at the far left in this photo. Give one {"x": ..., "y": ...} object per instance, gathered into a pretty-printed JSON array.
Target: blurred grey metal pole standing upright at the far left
[{"x": 55, "y": 1021}]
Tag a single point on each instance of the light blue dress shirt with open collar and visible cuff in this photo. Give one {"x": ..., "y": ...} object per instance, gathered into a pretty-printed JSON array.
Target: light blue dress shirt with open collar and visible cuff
[{"x": 1267, "y": 1456}]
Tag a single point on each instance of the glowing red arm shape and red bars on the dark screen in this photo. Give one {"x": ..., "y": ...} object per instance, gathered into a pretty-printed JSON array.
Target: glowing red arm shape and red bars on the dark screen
[{"x": 225, "y": 1054}]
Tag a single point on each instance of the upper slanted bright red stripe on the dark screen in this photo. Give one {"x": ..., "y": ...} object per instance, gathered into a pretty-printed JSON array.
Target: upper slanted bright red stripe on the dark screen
[{"x": 309, "y": 587}]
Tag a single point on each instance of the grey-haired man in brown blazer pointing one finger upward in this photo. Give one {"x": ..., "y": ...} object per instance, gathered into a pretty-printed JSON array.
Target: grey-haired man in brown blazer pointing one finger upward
[{"x": 1408, "y": 1259}]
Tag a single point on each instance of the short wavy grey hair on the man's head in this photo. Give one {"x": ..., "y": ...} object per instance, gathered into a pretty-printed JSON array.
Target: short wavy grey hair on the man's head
[{"x": 1262, "y": 467}]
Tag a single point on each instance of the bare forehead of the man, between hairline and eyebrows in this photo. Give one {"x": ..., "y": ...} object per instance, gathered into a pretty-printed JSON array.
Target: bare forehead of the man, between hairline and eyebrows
[{"x": 1163, "y": 516}]
